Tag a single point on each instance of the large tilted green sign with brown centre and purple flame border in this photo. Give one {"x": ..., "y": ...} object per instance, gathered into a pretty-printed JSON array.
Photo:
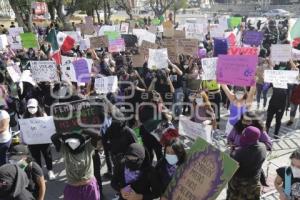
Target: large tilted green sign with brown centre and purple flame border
[{"x": 204, "y": 174}]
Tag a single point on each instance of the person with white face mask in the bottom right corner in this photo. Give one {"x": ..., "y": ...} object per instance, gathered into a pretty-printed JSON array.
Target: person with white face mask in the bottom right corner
[{"x": 287, "y": 181}]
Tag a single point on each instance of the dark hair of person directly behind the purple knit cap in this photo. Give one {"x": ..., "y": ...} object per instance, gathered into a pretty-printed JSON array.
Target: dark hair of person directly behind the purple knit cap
[{"x": 254, "y": 117}]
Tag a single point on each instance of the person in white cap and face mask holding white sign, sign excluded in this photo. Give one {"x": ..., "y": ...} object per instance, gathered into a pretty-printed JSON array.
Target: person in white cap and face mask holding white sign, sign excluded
[{"x": 34, "y": 110}]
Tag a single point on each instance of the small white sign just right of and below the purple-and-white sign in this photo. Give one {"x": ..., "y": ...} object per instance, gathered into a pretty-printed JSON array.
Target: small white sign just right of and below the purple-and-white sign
[{"x": 106, "y": 84}]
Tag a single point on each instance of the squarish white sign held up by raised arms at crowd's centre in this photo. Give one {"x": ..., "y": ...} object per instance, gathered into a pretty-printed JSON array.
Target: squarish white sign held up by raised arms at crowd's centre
[{"x": 158, "y": 58}]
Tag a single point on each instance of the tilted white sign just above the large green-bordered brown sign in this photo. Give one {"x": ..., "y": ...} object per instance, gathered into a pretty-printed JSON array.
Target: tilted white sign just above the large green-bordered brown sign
[{"x": 194, "y": 130}]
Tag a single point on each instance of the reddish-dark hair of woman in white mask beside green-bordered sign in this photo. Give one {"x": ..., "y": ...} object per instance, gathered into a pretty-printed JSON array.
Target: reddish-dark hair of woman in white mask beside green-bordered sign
[{"x": 178, "y": 148}]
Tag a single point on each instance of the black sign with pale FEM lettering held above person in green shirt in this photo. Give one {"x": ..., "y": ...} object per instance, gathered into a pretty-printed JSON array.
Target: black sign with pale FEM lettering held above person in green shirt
[{"x": 73, "y": 116}]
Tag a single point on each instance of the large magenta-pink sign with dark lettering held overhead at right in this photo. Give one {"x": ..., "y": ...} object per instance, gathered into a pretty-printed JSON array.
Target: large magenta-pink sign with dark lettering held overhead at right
[{"x": 237, "y": 70}]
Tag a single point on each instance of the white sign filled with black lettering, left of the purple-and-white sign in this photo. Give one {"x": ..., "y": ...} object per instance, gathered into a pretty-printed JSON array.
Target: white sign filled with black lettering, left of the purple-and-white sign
[{"x": 44, "y": 71}]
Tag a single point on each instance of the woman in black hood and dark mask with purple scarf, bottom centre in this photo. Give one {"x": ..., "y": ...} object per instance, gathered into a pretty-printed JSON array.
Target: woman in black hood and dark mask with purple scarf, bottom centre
[{"x": 134, "y": 178}]
